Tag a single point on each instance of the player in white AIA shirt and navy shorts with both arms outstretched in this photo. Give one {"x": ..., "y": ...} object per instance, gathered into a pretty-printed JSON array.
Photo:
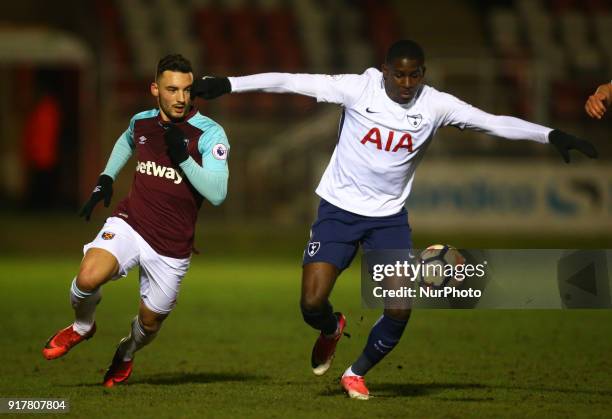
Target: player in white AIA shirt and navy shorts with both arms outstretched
[{"x": 389, "y": 118}]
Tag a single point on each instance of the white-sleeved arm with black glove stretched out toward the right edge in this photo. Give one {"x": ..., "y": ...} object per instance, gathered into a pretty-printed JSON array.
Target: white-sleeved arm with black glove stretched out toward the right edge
[{"x": 462, "y": 115}]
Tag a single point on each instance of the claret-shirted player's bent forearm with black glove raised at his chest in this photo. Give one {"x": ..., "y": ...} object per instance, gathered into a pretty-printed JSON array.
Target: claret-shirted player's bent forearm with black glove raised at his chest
[{"x": 210, "y": 182}]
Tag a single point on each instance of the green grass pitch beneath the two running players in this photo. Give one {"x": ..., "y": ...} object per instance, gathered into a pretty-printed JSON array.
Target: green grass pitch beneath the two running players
[{"x": 236, "y": 347}]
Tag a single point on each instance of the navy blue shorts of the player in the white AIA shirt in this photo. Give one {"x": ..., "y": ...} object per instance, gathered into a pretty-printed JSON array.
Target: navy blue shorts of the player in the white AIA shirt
[{"x": 336, "y": 235}]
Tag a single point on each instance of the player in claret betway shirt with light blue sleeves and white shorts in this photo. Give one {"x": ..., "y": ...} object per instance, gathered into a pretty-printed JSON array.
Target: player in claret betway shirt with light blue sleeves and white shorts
[{"x": 181, "y": 160}]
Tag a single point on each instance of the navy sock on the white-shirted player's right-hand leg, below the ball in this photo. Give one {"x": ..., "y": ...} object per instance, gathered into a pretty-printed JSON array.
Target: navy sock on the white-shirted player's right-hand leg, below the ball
[{"x": 385, "y": 334}]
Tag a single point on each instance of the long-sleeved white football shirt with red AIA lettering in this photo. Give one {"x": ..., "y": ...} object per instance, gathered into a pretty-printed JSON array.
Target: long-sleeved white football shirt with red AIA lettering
[{"x": 380, "y": 141}]
